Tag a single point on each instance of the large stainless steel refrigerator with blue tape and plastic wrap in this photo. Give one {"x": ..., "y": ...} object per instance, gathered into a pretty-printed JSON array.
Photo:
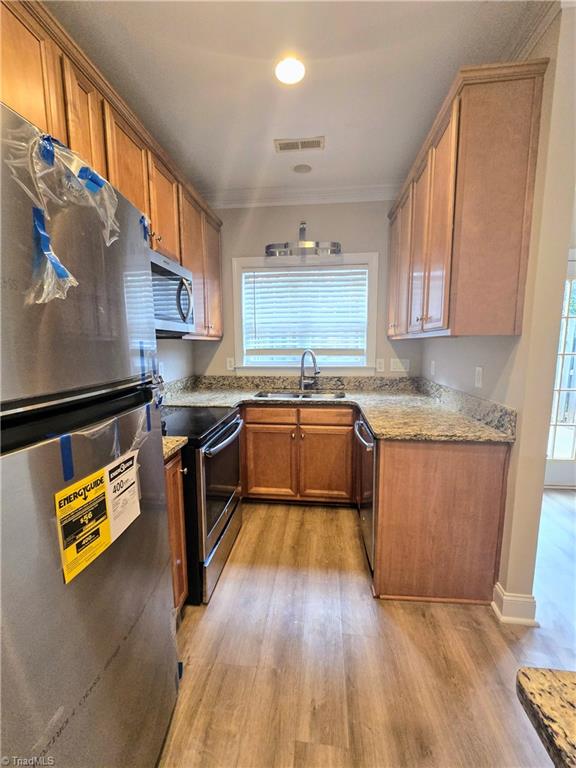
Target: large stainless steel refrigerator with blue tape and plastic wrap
[{"x": 89, "y": 668}]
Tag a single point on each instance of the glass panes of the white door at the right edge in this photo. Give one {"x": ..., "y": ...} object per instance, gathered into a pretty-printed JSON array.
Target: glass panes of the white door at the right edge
[{"x": 562, "y": 438}]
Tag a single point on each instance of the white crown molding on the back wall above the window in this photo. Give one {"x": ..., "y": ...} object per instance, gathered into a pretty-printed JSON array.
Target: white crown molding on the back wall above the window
[{"x": 273, "y": 196}]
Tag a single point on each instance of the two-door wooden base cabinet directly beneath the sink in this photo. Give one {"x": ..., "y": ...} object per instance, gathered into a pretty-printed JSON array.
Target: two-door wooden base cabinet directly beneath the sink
[{"x": 305, "y": 454}]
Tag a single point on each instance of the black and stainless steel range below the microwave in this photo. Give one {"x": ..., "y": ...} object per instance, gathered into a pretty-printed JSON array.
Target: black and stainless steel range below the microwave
[{"x": 211, "y": 465}]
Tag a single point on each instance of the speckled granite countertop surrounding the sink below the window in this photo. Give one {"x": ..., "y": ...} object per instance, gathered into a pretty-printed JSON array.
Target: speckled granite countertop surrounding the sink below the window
[{"x": 391, "y": 416}]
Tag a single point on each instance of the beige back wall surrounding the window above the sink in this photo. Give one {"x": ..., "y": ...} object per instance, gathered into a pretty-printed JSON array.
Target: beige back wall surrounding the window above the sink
[{"x": 360, "y": 227}]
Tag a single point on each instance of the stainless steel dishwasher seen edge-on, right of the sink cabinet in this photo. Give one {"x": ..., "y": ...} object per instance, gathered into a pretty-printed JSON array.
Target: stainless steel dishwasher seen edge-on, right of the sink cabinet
[{"x": 366, "y": 485}]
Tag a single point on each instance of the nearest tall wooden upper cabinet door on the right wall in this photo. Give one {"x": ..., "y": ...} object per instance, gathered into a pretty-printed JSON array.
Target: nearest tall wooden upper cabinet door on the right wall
[{"x": 439, "y": 252}]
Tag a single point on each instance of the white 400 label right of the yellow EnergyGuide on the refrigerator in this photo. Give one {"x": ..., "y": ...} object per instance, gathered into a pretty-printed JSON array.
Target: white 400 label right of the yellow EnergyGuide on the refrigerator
[{"x": 122, "y": 493}]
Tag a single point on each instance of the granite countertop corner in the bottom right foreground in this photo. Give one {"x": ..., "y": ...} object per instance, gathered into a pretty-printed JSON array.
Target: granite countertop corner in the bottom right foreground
[{"x": 549, "y": 698}]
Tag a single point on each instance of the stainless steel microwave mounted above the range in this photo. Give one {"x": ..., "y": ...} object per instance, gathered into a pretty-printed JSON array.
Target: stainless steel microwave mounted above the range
[{"x": 173, "y": 297}]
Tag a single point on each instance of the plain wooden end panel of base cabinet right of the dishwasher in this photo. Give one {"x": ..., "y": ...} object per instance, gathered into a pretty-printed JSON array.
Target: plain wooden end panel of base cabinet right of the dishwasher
[{"x": 440, "y": 514}]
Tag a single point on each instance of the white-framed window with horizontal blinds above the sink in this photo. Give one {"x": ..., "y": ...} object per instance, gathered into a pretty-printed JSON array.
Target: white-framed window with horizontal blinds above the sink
[{"x": 285, "y": 306}]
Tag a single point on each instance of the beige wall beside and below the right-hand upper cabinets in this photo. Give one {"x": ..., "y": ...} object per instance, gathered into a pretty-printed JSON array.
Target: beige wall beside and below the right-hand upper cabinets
[{"x": 520, "y": 371}]
